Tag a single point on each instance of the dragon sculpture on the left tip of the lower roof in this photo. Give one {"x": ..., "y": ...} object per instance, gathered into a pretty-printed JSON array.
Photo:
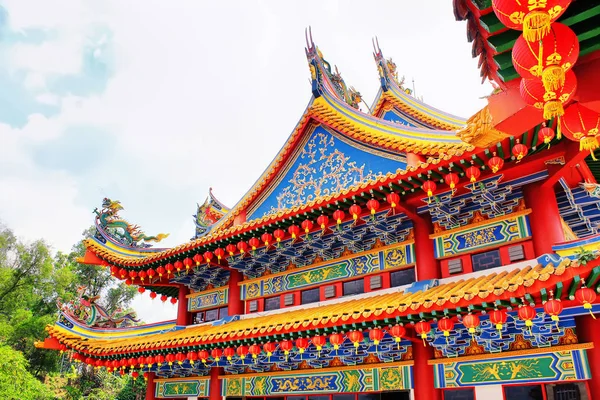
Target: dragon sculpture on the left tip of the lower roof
[{"x": 87, "y": 311}]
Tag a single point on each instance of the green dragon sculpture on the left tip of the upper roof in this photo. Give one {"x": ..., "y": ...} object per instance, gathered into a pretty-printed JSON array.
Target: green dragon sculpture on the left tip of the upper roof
[{"x": 109, "y": 221}]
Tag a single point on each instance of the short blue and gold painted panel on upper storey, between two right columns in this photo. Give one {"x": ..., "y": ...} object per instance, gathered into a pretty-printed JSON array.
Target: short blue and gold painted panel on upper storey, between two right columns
[{"x": 492, "y": 233}]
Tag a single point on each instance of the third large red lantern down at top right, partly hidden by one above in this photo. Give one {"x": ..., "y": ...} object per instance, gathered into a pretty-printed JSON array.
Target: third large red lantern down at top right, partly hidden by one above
[{"x": 552, "y": 102}]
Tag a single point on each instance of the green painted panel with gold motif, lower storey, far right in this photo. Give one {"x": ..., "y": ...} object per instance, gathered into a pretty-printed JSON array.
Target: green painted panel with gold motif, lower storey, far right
[{"x": 545, "y": 367}]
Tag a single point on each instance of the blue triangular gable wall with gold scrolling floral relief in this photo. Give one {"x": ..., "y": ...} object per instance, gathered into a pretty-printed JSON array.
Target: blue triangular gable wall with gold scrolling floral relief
[{"x": 326, "y": 163}]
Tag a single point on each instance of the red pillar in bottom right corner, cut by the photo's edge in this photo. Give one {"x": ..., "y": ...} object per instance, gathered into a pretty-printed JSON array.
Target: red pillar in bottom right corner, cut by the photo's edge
[{"x": 587, "y": 332}]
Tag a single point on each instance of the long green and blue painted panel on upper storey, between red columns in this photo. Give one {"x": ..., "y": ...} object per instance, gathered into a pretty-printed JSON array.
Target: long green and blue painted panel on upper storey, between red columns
[{"x": 394, "y": 257}]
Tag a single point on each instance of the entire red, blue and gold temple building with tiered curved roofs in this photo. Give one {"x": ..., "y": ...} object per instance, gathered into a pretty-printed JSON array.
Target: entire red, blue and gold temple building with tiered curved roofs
[{"x": 400, "y": 253}]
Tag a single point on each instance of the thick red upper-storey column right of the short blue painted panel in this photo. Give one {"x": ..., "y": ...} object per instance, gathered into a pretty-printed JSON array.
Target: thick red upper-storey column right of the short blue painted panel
[{"x": 544, "y": 220}]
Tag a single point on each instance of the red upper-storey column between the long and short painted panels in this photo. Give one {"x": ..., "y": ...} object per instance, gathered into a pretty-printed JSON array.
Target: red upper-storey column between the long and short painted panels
[{"x": 427, "y": 267}]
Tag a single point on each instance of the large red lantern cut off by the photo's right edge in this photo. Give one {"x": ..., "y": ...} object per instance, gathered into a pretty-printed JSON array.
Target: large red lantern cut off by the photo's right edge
[{"x": 581, "y": 124}]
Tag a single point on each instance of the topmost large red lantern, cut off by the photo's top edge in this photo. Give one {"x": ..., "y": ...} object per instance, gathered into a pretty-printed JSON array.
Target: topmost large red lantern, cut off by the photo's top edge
[{"x": 533, "y": 17}]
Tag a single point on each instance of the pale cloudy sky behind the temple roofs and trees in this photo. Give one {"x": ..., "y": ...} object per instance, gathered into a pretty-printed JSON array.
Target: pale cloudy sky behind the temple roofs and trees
[{"x": 153, "y": 102}]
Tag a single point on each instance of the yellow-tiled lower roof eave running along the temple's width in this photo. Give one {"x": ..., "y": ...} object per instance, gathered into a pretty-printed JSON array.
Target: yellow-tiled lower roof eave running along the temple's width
[{"x": 495, "y": 286}]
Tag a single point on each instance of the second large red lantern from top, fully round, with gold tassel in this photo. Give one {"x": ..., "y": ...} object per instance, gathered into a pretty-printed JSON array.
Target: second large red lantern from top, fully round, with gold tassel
[{"x": 548, "y": 58}]
